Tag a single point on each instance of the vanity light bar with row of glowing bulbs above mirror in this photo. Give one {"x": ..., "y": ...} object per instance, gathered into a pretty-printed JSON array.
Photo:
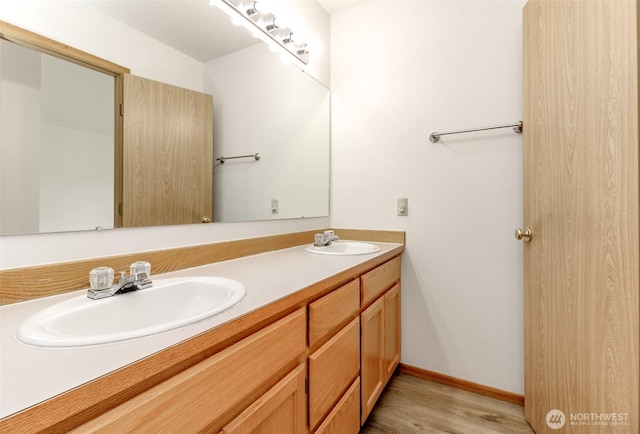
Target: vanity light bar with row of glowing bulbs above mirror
[{"x": 264, "y": 25}]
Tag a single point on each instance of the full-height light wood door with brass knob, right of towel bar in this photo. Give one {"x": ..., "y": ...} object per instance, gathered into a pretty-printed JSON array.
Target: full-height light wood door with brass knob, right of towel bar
[{"x": 581, "y": 203}]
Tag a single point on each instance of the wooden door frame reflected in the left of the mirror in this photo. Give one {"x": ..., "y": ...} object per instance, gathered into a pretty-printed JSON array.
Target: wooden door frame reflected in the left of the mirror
[{"x": 26, "y": 38}]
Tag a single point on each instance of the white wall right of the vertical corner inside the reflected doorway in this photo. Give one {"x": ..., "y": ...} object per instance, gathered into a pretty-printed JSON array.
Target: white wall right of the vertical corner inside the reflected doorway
[{"x": 76, "y": 143}]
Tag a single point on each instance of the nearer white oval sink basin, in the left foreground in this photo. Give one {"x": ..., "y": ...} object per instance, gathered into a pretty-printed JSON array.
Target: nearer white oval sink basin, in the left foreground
[{"x": 169, "y": 304}]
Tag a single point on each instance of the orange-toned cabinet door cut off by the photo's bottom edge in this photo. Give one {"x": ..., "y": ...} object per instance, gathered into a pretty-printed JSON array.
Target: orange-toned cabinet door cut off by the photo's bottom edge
[{"x": 281, "y": 410}]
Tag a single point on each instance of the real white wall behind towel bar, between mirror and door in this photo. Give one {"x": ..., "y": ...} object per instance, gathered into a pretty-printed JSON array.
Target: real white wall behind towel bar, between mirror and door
[{"x": 400, "y": 70}]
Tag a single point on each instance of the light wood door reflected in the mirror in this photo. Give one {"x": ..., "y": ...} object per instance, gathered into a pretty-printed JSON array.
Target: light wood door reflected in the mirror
[{"x": 167, "y": 156}]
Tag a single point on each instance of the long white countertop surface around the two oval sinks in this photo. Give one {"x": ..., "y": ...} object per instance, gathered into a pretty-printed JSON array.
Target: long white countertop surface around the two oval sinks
[{"x": 30, "y": 375}]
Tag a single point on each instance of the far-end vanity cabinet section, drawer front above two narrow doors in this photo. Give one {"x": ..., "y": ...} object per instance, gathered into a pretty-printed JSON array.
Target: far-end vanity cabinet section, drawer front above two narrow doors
[{"x": 380, "y": 332}]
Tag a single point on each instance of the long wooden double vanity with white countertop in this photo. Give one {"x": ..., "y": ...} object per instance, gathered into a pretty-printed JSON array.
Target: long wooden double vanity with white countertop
[{"x": 315, "y": 339}]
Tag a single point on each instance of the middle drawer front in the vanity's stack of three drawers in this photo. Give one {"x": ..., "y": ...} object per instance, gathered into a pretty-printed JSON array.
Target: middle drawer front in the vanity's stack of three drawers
[{"x": 332, "y": 369}]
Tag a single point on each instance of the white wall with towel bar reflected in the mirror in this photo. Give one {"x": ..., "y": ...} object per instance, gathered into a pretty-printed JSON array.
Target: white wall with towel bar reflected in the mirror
[{"x": 262, "y": 106}]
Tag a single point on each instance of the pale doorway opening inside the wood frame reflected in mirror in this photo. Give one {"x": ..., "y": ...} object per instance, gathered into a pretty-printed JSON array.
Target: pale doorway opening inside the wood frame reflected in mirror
[{"x": 57, "y": 152}]
